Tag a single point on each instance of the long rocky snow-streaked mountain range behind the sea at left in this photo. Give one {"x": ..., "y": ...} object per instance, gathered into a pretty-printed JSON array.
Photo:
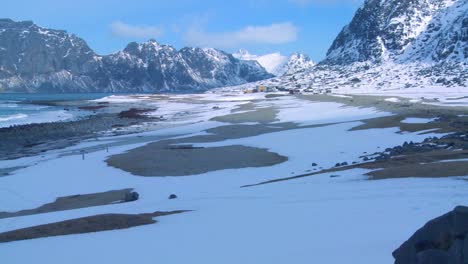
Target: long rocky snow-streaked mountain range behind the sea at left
[{"x": 36, "y": 59}]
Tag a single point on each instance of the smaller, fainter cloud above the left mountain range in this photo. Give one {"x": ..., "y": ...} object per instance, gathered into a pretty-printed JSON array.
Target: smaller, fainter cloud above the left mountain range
[{"x": 124, "y": 30}]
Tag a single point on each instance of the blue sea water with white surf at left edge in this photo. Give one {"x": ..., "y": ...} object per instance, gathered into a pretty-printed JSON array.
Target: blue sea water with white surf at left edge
[{"x": 19, "y": 109}]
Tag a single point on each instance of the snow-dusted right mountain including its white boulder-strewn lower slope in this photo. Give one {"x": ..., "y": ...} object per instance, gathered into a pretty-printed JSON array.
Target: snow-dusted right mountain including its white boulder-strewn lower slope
[{"x": 394, "y": 45}]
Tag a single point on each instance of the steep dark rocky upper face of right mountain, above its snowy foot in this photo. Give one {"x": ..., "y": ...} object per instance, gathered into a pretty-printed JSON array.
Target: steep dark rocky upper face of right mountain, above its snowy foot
[{"x": 422, "y": 30}]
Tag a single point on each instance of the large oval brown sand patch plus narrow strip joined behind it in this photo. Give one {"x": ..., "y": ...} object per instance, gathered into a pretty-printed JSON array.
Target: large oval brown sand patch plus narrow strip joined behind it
[{"x": 163, "y": 158}]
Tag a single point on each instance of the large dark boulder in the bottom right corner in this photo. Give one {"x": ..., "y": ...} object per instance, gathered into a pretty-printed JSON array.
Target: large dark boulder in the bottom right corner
[{"x": 442, "y": 240}]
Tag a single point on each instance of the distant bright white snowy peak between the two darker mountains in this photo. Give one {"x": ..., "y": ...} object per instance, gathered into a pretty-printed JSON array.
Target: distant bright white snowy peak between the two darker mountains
[{"x": 278, "y": 64}]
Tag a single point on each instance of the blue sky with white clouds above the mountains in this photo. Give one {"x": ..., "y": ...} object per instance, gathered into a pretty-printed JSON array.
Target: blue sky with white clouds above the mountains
[{"x": 259, "y": 26}]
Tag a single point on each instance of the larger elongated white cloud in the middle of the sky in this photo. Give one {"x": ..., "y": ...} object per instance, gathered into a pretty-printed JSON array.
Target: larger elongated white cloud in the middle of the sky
[{"x": 279, "y": 33}]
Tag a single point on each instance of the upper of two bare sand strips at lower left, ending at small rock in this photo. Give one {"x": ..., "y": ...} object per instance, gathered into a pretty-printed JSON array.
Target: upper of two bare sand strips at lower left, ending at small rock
[{"x": 74, "y": 202}]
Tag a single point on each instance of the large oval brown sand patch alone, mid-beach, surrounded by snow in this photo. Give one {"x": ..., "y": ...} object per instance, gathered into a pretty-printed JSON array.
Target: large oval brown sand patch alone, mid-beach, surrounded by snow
[{"x": 183, "y": 161}]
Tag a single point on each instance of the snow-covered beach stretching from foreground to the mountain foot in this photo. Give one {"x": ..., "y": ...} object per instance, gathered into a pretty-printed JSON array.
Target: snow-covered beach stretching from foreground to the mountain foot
[{"x": 317, "y": 202}]
